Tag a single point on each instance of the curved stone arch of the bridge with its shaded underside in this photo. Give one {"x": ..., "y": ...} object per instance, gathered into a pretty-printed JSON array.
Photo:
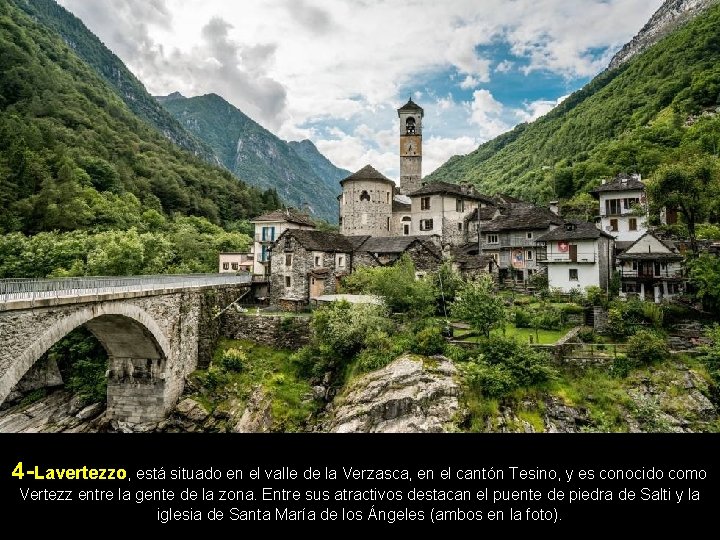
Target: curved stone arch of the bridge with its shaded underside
[{"x": 137, "y": 348}]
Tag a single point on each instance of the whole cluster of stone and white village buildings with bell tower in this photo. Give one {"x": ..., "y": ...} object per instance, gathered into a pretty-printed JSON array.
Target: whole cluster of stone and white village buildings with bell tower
[{"x": 294, "y": 264}]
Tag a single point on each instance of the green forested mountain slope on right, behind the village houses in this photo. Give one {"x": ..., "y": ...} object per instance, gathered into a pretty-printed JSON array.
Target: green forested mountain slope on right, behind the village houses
[{"x": 635, "y": 117}]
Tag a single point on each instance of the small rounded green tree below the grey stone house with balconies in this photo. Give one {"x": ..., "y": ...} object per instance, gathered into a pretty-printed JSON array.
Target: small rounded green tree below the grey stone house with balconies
[{"x": 478, "y": 304}]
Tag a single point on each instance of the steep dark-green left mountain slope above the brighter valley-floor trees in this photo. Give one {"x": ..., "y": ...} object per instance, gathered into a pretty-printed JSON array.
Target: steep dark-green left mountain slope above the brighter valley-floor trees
[{"x": 74, "y": 156}]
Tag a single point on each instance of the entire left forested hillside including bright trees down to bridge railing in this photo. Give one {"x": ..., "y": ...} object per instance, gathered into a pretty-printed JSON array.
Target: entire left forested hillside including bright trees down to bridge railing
[{"x": 77, "y": 164}]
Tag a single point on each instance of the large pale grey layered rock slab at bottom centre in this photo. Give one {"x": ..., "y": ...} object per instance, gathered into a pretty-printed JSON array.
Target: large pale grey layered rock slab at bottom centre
[{"x": 410, "y": 395}]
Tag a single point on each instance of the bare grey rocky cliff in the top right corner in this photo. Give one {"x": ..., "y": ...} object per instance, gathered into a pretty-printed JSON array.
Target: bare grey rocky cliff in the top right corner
[{"x": 671, "y": 14}]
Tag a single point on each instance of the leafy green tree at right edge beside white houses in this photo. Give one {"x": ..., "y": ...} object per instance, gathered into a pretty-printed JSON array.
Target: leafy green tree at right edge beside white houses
[{"x": 691, "y": 186}]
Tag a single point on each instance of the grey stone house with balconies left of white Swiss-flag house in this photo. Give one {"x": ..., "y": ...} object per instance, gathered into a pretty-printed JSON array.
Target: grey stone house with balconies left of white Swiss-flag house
[{"x": 510, "y": 237}]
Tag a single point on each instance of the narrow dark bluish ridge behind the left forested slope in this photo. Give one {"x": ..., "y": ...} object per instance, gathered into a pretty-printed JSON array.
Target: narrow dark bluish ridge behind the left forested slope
[{"x": 90, "y": 49}]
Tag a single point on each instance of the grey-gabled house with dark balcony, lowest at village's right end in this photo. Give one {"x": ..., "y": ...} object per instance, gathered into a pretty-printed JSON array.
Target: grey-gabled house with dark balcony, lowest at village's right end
[{"x": 651, "y": 269}]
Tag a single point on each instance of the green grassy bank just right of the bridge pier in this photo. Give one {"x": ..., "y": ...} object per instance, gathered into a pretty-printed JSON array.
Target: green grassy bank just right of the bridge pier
[{"x": 266, "y": 367}]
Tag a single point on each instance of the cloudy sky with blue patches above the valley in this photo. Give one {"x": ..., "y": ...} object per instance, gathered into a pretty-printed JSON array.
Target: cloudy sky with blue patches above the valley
[{"x": 335, "y": 71}]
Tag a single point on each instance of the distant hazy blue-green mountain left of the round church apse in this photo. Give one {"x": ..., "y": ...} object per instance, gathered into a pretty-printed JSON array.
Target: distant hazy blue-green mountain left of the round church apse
[{"x": 299, "y": 173}]
